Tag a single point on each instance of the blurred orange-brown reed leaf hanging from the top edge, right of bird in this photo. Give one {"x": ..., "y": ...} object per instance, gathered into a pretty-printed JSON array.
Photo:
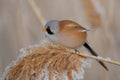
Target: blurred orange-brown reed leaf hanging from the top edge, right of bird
[{"x": 93, "y": 16}]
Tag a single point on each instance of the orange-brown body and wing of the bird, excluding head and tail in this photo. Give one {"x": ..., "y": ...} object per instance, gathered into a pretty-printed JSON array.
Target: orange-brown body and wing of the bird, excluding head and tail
[{"x": 70, "y": 34}]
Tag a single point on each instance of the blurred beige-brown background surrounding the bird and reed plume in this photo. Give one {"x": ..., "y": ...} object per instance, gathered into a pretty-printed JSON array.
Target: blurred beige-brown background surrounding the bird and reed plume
[{"x": 19, "y": 27}]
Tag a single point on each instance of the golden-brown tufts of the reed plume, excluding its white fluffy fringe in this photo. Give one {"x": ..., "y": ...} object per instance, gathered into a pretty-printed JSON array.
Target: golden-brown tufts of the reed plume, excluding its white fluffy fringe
[{"x": 55, "y": 58}]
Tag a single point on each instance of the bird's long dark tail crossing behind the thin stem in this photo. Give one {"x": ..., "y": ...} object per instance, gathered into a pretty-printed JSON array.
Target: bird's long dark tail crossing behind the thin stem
[{"x": 95, "y": 54}]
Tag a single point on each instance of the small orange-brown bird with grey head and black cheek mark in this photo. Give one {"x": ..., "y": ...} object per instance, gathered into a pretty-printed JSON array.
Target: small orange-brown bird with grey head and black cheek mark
[{"x": 69, "y": 34}]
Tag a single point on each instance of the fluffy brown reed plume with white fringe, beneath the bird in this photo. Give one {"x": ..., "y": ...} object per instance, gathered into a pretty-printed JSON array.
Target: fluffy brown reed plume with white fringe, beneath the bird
[{"x": 47, "y": 62}]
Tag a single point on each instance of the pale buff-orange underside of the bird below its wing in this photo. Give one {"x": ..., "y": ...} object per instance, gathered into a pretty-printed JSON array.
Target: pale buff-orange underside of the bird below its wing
[{"x": 72, "y": 39}]
